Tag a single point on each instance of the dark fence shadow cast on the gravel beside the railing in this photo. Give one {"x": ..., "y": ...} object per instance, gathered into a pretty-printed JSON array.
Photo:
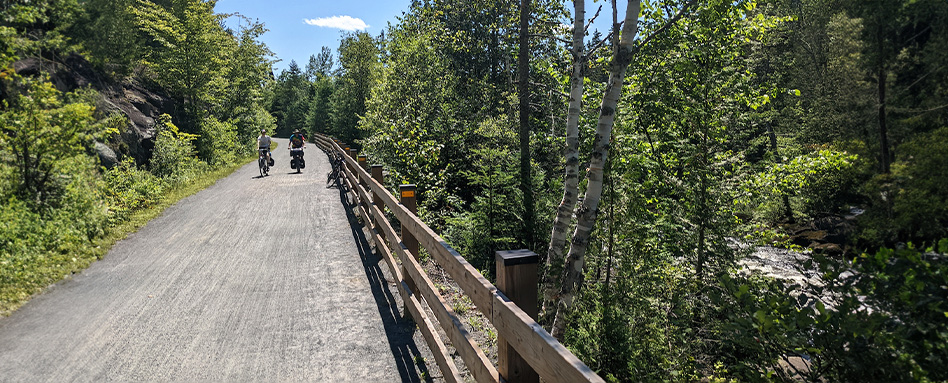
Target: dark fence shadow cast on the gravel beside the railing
[{"x": 399, "y": 329}]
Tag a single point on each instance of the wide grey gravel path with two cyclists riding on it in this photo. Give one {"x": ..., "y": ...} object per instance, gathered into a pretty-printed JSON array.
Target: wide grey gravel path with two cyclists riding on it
[{"x": 252, "y": 279}]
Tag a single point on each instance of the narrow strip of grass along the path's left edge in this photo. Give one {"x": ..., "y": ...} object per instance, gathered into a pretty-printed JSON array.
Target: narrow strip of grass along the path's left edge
[{"x": 42, "y": 270}]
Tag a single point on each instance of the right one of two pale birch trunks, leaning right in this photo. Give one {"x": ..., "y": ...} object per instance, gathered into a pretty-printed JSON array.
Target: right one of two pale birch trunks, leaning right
[{"x": 587, "y": 211}]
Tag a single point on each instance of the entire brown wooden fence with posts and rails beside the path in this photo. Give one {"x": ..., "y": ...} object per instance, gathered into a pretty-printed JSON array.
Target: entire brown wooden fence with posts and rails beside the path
[{"x": 525, "y": 350}]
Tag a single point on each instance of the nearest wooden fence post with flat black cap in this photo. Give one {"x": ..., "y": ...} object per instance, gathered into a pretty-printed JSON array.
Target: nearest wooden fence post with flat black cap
[{"x": 517, "y": 279}]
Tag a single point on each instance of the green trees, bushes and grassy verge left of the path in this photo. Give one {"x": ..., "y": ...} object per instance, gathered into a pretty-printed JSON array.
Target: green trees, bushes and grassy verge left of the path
[{"x": 63, "y": 204}]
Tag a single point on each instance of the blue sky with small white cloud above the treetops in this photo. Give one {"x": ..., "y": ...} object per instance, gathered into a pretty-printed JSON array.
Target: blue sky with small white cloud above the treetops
[{"x": 298, "y": 29}]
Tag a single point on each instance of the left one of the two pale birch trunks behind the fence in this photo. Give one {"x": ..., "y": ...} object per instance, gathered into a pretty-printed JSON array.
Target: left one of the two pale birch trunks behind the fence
[{"x": 564, "y": 212}]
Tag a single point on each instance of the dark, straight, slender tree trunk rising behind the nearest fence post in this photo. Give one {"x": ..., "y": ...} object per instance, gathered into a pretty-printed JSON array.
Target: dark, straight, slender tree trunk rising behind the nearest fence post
[{"x": 526, "y": 177}]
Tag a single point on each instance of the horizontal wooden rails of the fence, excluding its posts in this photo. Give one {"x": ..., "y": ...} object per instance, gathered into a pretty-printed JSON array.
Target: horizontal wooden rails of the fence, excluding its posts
[{"x": 550, "y": 359}]
